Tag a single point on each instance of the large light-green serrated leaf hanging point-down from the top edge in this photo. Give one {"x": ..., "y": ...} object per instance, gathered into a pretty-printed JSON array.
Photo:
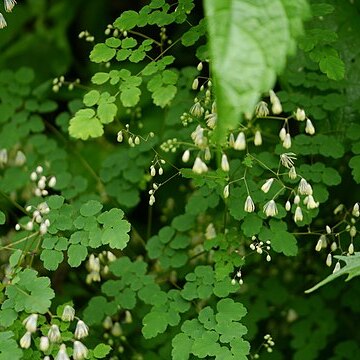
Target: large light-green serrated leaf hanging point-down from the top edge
[{"x": 249, "y": 42}]
